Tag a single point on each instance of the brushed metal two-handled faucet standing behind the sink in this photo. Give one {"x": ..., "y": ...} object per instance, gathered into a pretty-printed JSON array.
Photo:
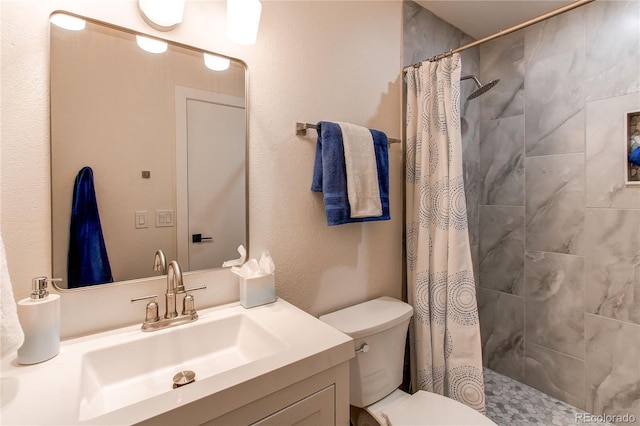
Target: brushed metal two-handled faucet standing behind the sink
[{"x": 152, "y": 320}]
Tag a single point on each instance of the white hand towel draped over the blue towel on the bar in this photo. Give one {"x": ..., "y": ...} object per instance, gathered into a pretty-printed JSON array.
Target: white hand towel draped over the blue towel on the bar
[{"x": 362, "y": 172}]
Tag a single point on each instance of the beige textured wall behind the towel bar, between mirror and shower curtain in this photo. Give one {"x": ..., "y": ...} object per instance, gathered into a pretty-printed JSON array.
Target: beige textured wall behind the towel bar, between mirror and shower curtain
[{"x": 333, "y": 61}]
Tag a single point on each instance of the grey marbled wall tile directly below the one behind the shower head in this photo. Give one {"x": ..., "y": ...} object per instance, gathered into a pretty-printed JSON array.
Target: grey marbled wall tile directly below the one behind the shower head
[{"x": 502, "y": 161}]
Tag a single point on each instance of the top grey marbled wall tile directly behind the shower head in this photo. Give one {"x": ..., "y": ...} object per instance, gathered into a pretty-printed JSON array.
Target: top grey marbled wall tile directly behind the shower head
[{"x": 503, "y": 59}]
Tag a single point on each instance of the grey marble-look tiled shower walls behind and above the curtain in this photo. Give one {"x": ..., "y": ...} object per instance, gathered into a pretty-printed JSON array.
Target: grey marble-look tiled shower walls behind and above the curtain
[{"x": 555, "y": 231}]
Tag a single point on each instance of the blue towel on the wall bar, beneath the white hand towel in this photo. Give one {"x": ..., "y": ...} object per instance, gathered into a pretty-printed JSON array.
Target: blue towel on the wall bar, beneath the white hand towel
[{"x": 330, "y": 176}]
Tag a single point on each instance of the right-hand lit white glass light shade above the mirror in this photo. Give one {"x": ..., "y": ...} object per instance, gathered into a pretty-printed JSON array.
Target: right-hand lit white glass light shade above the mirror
[{"x": 243, "y": 18}]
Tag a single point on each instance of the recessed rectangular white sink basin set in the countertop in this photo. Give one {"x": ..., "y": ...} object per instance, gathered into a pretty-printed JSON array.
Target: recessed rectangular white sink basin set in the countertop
[{"x": 116, "y": 376}]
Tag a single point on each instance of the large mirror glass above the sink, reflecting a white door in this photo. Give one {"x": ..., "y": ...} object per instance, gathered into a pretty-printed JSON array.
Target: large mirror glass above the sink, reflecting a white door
[{"x": 165, "y": 137}]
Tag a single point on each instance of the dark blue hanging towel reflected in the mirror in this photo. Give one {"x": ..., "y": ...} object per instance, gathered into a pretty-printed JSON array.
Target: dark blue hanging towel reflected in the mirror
[{"x": 87, "y": 260}]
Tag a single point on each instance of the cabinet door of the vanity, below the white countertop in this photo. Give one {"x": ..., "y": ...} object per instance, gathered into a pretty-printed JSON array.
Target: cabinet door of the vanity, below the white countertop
[{"x": 315, "y": 410}]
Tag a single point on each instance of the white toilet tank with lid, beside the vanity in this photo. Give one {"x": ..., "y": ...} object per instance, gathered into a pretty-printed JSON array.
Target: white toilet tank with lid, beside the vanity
[{"x": 381, "y": 324}]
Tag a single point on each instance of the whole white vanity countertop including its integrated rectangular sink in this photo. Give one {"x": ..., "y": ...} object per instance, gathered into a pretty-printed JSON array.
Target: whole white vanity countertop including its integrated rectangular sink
[{"x": 124, "y": 376}]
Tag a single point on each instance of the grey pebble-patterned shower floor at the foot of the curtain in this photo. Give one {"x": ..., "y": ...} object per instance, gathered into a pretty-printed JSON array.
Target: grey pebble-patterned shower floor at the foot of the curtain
[{"x": 511, "y": 403}]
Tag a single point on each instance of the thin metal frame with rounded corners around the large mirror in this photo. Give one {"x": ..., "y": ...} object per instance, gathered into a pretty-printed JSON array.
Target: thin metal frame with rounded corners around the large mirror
[{"x": 246, "y": 160}]
